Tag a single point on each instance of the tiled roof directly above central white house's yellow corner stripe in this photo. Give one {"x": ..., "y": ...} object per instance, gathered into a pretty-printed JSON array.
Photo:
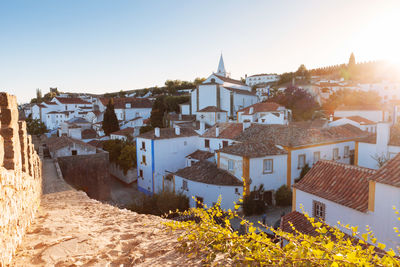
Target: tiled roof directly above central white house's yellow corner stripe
[{"x": 253, "y": 150}]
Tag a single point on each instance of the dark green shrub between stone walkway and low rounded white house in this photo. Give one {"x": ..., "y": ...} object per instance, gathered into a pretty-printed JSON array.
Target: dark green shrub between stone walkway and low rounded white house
[{"x": 161, "y": 203}]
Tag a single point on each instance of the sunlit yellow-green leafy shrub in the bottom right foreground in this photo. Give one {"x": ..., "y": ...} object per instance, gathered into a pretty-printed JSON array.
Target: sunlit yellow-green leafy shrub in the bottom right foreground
[{"x": 330, "y": 247}]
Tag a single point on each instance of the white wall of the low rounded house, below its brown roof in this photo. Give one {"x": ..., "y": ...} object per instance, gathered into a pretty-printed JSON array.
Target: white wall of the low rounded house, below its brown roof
[{"x": 209, "y": 193}]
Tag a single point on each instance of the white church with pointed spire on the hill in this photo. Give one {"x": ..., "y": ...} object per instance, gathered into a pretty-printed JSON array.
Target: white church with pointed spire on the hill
[{"x": 220, "y": 91}]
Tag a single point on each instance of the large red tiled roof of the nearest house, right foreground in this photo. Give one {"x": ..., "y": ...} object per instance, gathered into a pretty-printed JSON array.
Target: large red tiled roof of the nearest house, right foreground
[{"x": 344, "y": 184}]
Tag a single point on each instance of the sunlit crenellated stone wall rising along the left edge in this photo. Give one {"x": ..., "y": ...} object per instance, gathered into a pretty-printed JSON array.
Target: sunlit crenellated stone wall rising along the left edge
[{"x": 20, "y": 178}]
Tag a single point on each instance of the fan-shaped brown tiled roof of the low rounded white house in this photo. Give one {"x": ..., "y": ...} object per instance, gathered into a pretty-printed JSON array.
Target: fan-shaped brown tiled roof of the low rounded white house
[{"x": 208, "y": 173}]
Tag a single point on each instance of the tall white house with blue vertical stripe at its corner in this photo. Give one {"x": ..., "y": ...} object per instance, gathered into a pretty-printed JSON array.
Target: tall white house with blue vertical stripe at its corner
[{"x": 160, "y": 151}]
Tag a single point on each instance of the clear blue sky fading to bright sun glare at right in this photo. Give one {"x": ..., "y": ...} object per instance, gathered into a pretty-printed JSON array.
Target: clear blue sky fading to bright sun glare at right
[{"x": 97, "y": 46}]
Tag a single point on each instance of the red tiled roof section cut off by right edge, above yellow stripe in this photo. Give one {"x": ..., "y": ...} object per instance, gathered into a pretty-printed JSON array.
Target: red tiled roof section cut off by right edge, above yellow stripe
[{"x": 389, "y": 173}]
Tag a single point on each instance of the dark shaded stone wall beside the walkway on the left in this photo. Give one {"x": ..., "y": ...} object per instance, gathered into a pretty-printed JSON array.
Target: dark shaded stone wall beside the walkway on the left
[{"x": 89, "y": 173}]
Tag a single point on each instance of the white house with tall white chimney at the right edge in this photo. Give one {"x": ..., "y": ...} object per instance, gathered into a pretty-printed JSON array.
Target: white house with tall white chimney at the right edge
[{"x": 376, "y": 149}]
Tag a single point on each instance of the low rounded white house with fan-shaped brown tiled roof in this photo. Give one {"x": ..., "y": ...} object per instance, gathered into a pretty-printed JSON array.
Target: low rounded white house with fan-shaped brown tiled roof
[{"x": 205, "y": 182}]
